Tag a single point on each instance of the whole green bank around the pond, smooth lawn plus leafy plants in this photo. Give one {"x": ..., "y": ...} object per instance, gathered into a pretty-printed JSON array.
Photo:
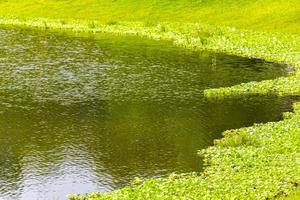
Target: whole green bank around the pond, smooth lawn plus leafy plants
[{"x": 258, "y": 162}]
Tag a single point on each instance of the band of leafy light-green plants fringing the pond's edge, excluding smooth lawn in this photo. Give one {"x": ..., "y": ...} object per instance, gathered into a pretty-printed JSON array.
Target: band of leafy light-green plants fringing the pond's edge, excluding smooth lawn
[{"x": 242, "y": 153}]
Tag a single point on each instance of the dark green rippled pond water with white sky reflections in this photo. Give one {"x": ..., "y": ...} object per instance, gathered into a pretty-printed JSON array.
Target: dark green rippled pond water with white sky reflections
[{"x": 84, "y": 114}]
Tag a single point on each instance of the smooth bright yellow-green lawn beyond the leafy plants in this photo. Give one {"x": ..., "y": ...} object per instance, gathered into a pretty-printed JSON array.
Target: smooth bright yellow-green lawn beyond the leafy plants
[{"x": 267, "y": 15}]
